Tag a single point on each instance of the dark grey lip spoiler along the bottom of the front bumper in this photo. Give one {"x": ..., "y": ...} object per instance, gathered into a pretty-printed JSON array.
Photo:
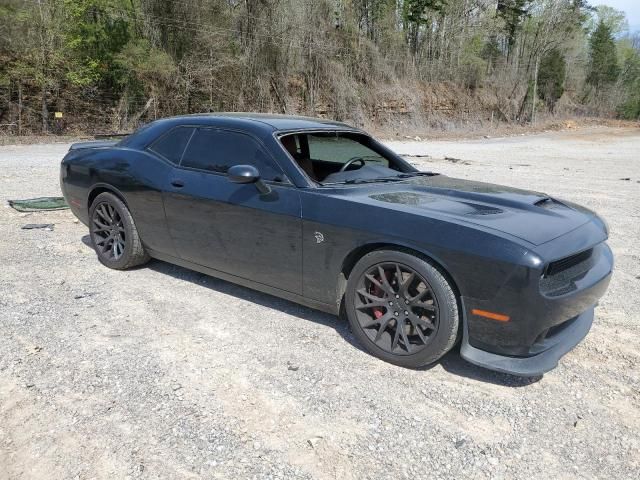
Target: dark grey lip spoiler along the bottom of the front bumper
[{"x": 552, "y": 349}]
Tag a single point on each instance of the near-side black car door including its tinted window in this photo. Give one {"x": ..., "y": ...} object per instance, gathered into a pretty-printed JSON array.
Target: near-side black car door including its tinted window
[{"x": 231, "y": 227}]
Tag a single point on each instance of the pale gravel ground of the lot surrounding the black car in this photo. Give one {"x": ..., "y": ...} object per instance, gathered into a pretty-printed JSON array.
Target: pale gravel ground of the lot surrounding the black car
[{"x": 160, "y": 372}]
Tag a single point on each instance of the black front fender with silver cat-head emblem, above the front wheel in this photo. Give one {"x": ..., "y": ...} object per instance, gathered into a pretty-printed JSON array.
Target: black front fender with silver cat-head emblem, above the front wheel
[{"x": 478, "y": 262}]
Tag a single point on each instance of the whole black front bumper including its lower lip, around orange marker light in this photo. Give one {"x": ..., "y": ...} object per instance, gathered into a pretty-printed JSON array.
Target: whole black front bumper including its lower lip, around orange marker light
[{"x": 542, "y": 326}]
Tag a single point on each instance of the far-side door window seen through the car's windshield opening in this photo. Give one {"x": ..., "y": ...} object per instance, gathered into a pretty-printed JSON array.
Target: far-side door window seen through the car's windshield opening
[{"x": 341, "y": 149}]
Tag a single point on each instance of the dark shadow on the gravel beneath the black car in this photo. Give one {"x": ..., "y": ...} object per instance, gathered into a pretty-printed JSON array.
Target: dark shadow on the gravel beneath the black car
[{"x": 451, "y": 362}]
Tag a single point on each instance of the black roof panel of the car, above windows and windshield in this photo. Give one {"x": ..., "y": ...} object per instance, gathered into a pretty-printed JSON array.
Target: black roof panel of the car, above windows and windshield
[{"x": 261, "y": 121}]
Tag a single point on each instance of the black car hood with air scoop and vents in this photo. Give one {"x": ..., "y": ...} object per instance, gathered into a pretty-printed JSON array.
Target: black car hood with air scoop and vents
[{"x": 531, "y": 216}]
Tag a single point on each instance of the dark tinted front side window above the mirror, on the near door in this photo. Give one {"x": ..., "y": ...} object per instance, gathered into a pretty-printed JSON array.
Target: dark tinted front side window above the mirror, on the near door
[{"x": 217, "y": 150}]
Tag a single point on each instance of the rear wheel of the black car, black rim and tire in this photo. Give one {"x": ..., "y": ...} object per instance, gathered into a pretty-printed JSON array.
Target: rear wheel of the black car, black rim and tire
[{"x": 113, "y": 233}]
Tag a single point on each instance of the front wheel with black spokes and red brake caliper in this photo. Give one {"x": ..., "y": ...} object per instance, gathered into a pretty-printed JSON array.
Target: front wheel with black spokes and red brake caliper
[{"x": 424, "y": 317}]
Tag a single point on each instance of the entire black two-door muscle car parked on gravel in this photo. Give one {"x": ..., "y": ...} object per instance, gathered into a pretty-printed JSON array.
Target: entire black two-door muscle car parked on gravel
[{"x": 322, "y": 214}]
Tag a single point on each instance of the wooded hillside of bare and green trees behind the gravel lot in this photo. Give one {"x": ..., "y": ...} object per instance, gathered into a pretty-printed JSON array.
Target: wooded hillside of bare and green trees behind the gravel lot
[{"x": 109, "y": 65}]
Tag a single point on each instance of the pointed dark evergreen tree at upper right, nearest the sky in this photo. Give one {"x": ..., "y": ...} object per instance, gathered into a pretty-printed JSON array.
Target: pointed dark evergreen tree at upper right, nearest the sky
[{"x": 603, "y": 65}]
